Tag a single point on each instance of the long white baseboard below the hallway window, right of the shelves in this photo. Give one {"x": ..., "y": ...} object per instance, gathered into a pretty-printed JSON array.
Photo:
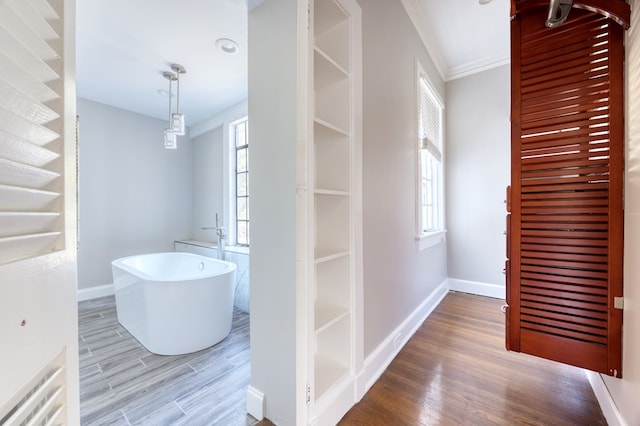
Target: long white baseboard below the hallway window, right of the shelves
[{"x": 379, "y": 360}]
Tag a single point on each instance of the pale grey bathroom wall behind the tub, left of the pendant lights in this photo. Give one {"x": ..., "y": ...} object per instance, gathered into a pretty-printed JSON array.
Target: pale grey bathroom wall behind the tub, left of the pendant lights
[{"x": 134, "y": 195}]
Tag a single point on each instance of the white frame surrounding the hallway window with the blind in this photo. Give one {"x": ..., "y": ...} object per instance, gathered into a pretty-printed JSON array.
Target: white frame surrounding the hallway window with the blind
[{"x": 429, "y": 237}]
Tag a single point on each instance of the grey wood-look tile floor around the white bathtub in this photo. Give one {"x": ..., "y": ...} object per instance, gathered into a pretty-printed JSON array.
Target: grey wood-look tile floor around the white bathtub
[{"x": 121, "y": 383}]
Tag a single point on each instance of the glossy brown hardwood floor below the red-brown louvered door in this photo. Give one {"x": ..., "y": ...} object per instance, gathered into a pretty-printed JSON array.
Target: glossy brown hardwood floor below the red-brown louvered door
[{"x": 455, "y": 371}]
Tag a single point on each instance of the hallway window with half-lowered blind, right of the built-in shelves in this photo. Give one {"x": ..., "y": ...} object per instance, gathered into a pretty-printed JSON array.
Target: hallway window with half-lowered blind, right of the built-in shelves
[{"x": 430, "y": 167}]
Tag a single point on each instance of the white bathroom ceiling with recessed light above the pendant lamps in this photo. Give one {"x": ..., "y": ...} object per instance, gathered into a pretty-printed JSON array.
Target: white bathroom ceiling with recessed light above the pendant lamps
[{"x": 124, "y": 46}]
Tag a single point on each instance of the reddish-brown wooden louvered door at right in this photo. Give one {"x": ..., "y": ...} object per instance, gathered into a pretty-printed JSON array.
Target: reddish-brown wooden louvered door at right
[{"x": 564, "y": 268}]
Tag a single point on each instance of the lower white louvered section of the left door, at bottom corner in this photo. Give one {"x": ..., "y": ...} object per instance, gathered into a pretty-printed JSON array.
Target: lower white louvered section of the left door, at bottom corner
[{"x": 44, "y": 402}]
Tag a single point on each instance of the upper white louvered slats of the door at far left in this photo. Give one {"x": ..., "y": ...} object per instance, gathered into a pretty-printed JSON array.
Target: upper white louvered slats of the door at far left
[{"x": 30, "y": 121}]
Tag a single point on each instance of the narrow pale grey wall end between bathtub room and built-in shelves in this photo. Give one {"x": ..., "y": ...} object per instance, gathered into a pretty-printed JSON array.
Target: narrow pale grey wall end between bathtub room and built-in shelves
[{"x": 273, "y": 128}]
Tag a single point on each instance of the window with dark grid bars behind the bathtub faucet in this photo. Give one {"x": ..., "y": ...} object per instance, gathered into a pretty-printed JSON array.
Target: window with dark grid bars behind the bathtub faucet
[{"x": 240, "y": 138}]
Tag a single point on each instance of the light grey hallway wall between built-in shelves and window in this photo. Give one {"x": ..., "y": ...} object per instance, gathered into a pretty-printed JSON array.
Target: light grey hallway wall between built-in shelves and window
[{"x": 397, "y": 277}]
